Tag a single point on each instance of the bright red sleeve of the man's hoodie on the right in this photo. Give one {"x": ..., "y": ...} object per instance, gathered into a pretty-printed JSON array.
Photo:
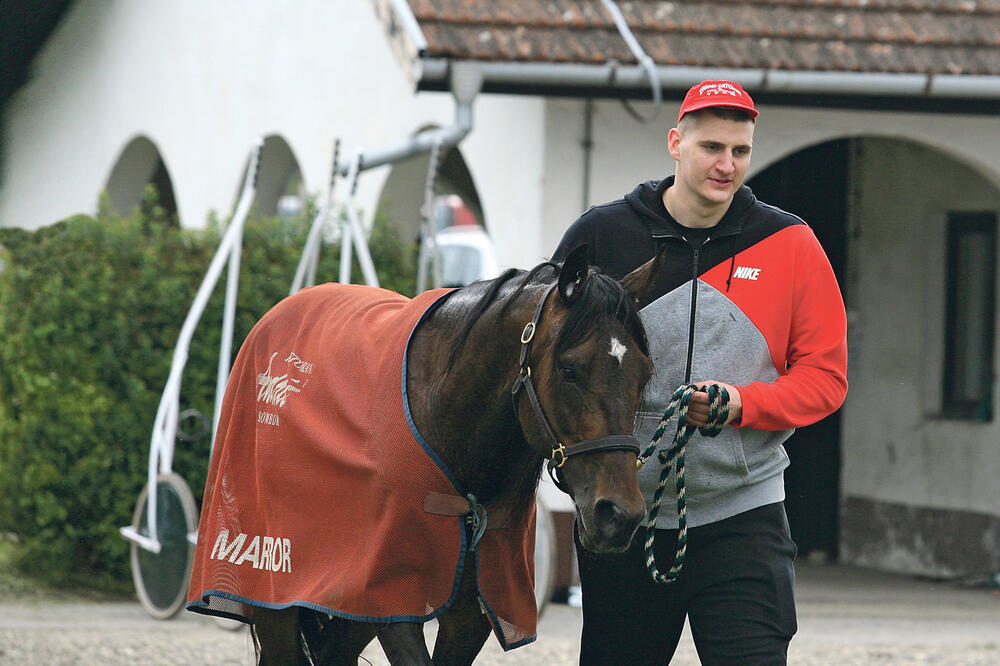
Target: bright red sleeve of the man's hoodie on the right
[{"x": 813, "y": 382}]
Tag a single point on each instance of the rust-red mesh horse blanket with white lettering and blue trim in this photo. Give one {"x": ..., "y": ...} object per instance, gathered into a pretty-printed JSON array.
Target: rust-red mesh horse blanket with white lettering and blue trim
[{"x": 318, "y": 482}]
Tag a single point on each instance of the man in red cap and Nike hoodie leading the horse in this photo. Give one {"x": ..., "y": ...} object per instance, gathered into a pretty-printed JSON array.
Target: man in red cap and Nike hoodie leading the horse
[{"x": 746, "y": 300}]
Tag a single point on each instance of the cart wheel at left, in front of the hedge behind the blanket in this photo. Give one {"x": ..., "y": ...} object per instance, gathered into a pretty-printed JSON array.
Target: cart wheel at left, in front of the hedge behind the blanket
[{"x": 161, "y": 579}]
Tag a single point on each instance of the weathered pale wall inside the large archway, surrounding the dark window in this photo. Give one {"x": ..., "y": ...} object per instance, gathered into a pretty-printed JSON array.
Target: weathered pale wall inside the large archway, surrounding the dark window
[{"x": 896, "y": 446}]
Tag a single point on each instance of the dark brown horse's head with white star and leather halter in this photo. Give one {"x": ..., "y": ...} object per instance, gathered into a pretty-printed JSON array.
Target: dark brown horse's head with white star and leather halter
[{"x": 578, "y": 391}]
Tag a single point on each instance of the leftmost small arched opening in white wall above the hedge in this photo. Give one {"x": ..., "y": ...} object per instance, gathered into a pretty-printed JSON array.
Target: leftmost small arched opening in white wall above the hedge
[{"x": 139, "y": 165}]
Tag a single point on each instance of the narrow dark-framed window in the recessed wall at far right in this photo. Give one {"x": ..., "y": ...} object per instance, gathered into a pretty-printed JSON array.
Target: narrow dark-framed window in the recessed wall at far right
[{"x": 970, "y": 315}]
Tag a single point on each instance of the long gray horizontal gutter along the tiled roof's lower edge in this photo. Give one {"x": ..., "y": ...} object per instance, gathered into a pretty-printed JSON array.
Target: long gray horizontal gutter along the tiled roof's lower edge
[{"x": 616, "y": 80}]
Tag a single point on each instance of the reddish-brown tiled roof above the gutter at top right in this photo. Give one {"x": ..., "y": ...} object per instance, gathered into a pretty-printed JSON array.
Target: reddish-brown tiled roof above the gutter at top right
[{"x": 869, "y": 36}]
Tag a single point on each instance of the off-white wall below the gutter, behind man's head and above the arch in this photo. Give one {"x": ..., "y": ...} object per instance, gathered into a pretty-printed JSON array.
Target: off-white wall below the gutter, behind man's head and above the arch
[{"x": 627, "y": 152}]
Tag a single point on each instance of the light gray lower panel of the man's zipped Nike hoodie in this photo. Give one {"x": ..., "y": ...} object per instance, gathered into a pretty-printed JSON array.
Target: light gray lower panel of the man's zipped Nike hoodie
[{"x": 741, "y": 468}]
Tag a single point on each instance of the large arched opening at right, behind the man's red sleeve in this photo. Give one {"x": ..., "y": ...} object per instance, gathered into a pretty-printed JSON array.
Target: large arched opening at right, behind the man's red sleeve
[{"x": 911, "y": 232}]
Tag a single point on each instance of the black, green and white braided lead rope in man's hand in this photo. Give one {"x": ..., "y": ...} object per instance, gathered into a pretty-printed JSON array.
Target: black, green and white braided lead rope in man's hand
[{"x": 674, "y": 458}]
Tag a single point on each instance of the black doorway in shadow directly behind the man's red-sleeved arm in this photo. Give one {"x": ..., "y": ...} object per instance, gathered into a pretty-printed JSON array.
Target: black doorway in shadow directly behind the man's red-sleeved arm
[{"x": 812, "y": 184}]
